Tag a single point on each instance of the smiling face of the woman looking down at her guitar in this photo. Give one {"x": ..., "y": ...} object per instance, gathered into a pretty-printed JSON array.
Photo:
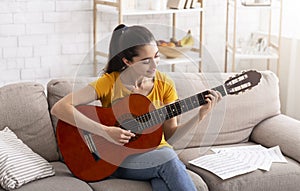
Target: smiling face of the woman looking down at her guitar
[{"x": 146, "y": 62}]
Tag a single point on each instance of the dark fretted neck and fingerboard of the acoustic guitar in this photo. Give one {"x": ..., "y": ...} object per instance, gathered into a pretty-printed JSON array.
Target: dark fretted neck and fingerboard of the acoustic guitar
[{"x": 179, "y": 107}]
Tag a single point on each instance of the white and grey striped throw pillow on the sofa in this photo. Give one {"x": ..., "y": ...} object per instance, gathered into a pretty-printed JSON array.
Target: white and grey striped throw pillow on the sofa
[{"x": 18, "y": 163}]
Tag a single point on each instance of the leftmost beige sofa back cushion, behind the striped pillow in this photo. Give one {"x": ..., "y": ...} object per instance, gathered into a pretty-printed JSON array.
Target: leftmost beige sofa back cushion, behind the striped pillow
[{"x": 24, "y": 108}]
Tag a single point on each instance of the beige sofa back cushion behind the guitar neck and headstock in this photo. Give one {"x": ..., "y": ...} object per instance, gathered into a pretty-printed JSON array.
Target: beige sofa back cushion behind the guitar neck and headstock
[{"x": 234, "y": 118}]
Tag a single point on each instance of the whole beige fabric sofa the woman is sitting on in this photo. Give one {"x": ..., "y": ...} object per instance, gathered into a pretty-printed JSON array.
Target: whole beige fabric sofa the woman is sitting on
[{"x": 249, "y": 118}]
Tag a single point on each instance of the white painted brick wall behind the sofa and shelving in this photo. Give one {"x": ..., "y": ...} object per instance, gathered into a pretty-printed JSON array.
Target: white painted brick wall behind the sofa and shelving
[{"x": 43, "y": 39}]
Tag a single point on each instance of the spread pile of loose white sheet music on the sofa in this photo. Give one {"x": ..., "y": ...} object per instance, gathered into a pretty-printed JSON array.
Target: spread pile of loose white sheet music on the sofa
[{"x": 232, "y": 161}]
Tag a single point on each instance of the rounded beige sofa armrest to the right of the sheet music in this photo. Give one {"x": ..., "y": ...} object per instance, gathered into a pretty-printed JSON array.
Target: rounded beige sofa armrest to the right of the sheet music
[{"x": 279, "y": 130}]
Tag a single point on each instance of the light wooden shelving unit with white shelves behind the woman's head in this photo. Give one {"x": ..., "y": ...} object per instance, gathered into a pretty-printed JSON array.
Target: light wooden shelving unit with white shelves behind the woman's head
[{"x": 115, "y": 7}]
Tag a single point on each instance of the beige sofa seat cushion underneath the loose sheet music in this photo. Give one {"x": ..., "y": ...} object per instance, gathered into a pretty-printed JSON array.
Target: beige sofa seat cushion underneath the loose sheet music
[{"x": 282, "y": 176}]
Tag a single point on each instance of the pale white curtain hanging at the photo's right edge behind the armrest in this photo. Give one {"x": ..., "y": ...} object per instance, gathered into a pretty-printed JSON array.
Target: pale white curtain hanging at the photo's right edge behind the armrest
[{"x": 290, "y": 60}]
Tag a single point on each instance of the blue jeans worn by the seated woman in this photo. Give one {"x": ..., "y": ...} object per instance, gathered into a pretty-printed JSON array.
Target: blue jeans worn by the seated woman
[{"x": 161, "y": 167}]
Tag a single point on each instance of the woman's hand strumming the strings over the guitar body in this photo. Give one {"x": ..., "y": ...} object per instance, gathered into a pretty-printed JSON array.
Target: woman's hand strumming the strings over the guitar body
[{"x": 118, "y": 136}]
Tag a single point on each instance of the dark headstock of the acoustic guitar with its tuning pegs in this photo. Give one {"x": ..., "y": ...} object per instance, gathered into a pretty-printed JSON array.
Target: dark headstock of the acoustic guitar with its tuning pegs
[{"x": 242, "y": 82}]
